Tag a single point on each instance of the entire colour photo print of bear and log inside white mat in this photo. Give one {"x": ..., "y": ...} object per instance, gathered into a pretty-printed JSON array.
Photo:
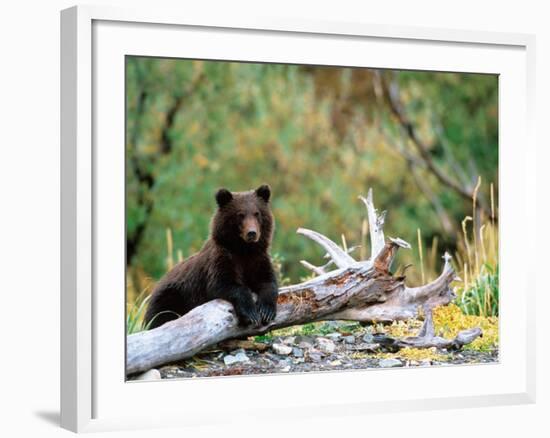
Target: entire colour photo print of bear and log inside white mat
[{"x": 299, "y": 218}]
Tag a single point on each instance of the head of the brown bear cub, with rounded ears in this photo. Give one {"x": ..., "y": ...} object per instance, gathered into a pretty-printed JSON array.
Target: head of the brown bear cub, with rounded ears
[{"x": 243, "y": 219}]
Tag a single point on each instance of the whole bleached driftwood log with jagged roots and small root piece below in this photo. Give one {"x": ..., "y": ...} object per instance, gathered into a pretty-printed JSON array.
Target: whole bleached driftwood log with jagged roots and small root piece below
[{"x": 363, "y": 291}]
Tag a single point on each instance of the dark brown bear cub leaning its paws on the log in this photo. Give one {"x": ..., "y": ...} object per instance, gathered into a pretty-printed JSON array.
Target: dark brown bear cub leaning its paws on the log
[{"x": 233, "y": 264}]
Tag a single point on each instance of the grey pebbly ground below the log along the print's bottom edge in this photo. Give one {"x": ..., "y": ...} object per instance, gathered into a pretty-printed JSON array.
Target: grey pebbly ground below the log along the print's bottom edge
[{"x": 312, "y": 353}]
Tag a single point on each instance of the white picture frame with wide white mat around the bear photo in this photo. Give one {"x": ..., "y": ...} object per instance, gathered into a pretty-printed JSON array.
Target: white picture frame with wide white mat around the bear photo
[{"x": 94, "y": 395}]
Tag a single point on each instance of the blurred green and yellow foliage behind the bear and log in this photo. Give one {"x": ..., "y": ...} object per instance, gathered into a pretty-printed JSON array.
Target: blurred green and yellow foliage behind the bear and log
[{"x": 426, "y": 142}]
